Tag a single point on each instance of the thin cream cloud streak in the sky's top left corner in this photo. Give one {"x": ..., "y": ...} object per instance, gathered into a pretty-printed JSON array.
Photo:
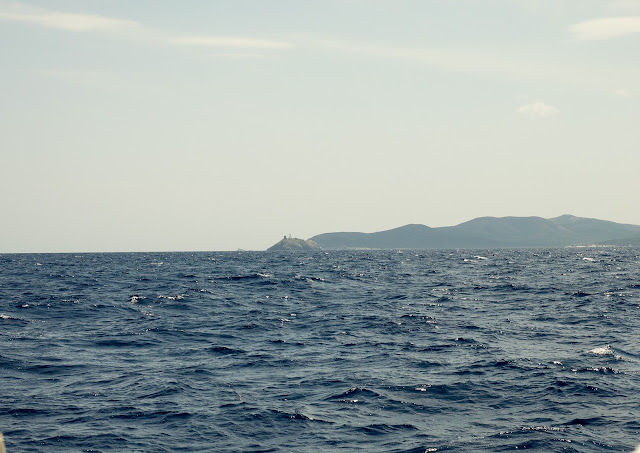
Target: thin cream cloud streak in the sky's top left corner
[{"x": 63, "y": 21}]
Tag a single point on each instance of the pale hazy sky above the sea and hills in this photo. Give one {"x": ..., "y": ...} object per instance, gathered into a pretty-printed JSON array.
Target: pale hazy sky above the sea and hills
[{"x": 206, "y": 125}]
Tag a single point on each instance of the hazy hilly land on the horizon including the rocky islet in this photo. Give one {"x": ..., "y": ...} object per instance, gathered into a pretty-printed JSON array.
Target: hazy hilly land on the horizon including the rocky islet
[{"x": 482, "y": 232}]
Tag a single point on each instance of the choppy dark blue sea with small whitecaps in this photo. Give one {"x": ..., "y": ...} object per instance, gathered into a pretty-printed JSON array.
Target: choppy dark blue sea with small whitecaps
[{"x": 331, "y": 351}]
